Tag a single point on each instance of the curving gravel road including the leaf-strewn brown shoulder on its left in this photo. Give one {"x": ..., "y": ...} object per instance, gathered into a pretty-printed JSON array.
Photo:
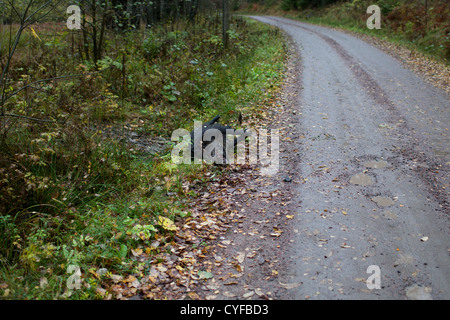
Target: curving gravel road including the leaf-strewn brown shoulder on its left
[{"x": 365, "y": 143}]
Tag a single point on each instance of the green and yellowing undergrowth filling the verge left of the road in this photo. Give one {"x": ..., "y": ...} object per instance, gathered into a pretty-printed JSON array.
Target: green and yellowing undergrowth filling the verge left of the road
[{"x": 80, "y": 182}]
